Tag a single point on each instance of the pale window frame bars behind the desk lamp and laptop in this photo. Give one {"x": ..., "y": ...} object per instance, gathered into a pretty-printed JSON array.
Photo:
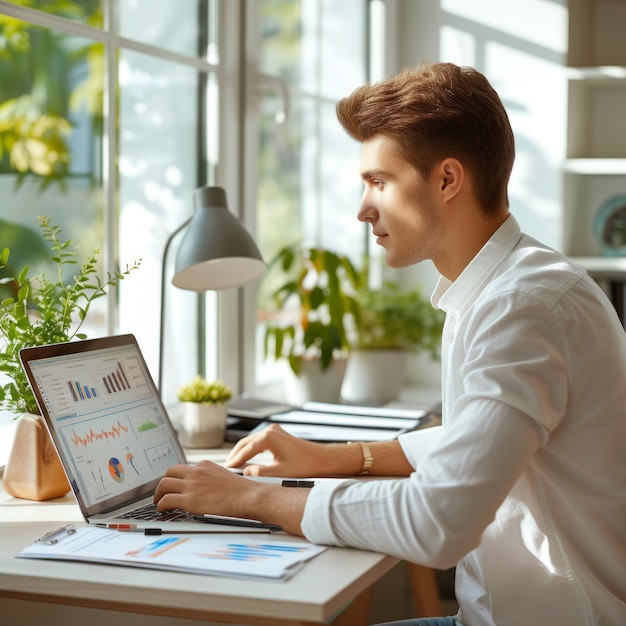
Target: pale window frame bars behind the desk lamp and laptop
[{"x": 227, "y": 320}]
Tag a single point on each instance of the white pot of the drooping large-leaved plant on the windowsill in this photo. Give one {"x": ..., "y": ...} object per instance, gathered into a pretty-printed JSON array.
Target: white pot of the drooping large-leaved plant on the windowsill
[{"x": 314, "y": 384}]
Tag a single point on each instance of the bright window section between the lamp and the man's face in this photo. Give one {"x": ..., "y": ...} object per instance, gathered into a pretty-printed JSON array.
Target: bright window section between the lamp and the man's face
[{"x": 311, "y": 53}]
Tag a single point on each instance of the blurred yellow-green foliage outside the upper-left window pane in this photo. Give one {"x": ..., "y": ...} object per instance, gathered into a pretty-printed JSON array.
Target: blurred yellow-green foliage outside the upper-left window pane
[{"x": 38, "y": 103}]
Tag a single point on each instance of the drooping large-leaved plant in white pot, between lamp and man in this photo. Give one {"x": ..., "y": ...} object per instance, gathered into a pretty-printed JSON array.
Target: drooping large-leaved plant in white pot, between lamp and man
[{"x": 315, "y": 310}]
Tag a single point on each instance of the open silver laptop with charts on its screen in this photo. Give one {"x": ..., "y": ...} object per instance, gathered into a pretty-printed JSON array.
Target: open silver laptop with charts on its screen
[{"x": 112, "y": 432}]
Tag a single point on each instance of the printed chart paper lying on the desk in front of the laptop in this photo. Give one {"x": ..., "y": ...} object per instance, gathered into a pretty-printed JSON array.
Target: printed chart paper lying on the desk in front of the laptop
[{"x": 250, "y": 556}]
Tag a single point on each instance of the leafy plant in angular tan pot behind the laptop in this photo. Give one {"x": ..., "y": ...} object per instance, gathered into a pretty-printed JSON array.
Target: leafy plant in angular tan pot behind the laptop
[{"x": 41, "y": 310}]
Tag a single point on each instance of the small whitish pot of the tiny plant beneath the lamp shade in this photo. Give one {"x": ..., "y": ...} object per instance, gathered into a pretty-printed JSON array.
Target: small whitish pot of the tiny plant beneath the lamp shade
[{"x": 203, "y": 425}]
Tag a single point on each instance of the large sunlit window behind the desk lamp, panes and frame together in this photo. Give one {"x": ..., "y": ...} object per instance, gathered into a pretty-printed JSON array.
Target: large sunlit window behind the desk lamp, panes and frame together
[{"x": 113, "y": 112}]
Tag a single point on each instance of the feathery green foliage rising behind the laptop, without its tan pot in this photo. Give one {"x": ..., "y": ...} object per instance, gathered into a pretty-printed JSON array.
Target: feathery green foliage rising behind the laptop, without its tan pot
[{"x": 43, "y": 310}]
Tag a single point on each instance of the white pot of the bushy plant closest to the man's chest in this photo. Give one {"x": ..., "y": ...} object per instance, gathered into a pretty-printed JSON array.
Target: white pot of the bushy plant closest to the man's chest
[{"x": 374, "y": 375}]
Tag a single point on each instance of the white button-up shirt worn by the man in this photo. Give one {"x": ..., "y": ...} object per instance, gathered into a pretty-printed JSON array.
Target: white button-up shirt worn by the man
[{"x": 524, "y": 485}]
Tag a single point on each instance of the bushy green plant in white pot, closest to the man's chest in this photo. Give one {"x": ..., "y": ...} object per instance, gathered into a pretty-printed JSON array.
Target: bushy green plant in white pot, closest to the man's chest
[{"x": 393, "y": 323}]
